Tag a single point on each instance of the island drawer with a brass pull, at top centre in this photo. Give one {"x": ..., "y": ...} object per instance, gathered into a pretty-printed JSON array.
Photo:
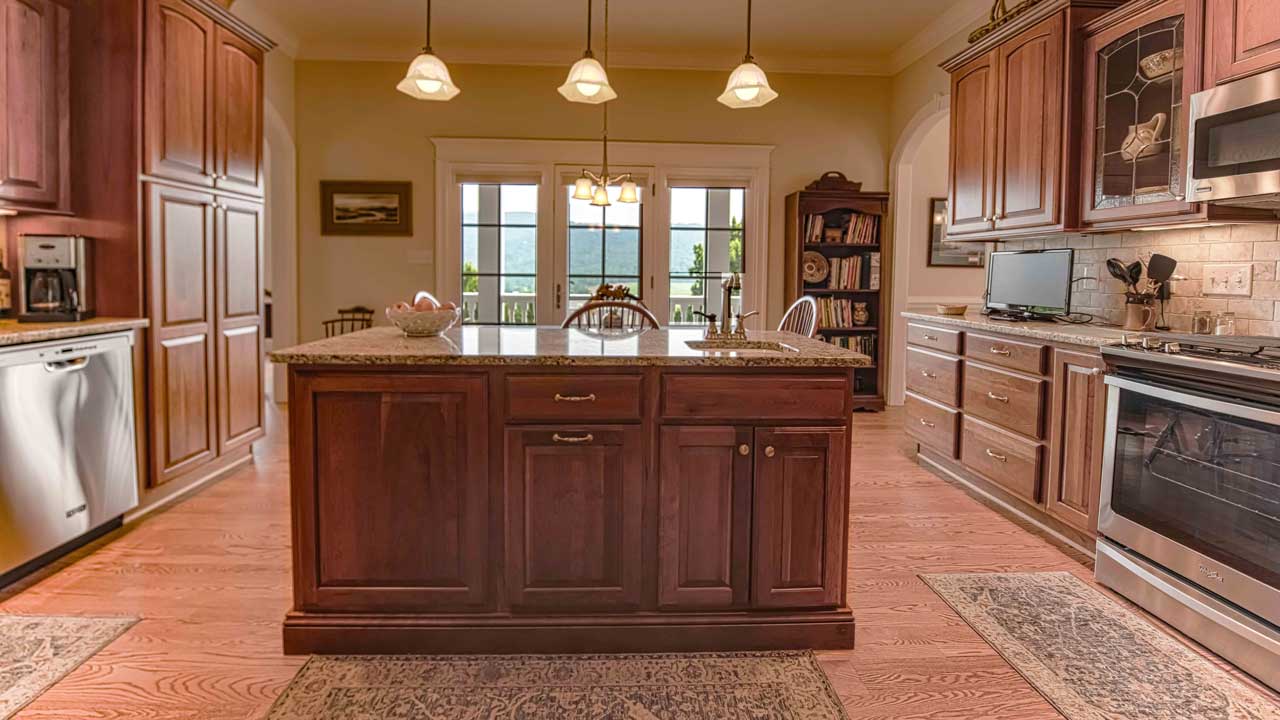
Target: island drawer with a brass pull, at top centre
[{"x": 574, "y": 398}]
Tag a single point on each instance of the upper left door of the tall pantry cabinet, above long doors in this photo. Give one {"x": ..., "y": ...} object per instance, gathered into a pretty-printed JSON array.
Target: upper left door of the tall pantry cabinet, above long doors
[{"x": 179, "y": 86}]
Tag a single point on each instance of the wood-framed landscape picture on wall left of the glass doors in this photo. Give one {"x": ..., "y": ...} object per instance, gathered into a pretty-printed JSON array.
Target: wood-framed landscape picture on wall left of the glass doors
[{"x": 367, "y": 208}]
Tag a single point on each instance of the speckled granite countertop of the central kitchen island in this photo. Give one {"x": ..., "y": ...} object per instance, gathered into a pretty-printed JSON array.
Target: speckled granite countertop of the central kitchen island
[{"x": 492, "y": 345}]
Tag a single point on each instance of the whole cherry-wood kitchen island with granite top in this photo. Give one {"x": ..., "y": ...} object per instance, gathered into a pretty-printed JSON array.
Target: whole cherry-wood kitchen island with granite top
[{"x": 545, "y": 490}]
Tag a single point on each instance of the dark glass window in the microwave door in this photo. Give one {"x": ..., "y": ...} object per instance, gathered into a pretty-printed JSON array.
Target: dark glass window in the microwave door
[{"x": 1238, "y": 143}]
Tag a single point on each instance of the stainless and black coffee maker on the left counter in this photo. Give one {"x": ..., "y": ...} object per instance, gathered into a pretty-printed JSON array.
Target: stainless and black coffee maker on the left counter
[{"x": 57, "y": 280}]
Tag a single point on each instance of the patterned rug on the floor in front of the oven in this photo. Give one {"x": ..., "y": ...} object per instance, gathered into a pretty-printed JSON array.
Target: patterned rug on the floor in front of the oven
[{"x": 1092, "y": 658}]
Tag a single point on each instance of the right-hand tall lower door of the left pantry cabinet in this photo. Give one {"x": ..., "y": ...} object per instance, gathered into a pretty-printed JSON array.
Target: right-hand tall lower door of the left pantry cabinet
[{"x": 240, "y": 322}]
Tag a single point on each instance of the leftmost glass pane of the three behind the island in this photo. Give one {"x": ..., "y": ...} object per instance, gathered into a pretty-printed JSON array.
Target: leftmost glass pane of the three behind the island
[{"x": 500, "y": 253}]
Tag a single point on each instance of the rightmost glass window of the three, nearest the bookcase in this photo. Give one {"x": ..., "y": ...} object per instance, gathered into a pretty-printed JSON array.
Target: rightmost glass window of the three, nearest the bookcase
[{"x": 708, "y": 240}]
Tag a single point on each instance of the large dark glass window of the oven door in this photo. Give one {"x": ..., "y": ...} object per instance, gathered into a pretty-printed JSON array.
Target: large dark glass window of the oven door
[{"x": 1209, "y": 481}]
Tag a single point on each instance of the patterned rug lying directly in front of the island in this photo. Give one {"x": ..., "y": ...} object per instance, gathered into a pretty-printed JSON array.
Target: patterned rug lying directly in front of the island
[{"x": 757, "y": 686}]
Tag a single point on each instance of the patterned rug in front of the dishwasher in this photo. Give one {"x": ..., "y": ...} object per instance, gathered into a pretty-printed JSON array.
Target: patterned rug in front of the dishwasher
[{"x": 36, "y": 651}]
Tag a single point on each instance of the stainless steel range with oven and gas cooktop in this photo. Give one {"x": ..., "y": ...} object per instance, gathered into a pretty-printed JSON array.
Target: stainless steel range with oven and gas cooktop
[{"x": 1190, "y": 518}]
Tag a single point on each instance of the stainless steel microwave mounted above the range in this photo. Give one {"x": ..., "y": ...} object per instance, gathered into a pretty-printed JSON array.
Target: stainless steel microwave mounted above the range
[{"x": 1235, "y": 144}]
